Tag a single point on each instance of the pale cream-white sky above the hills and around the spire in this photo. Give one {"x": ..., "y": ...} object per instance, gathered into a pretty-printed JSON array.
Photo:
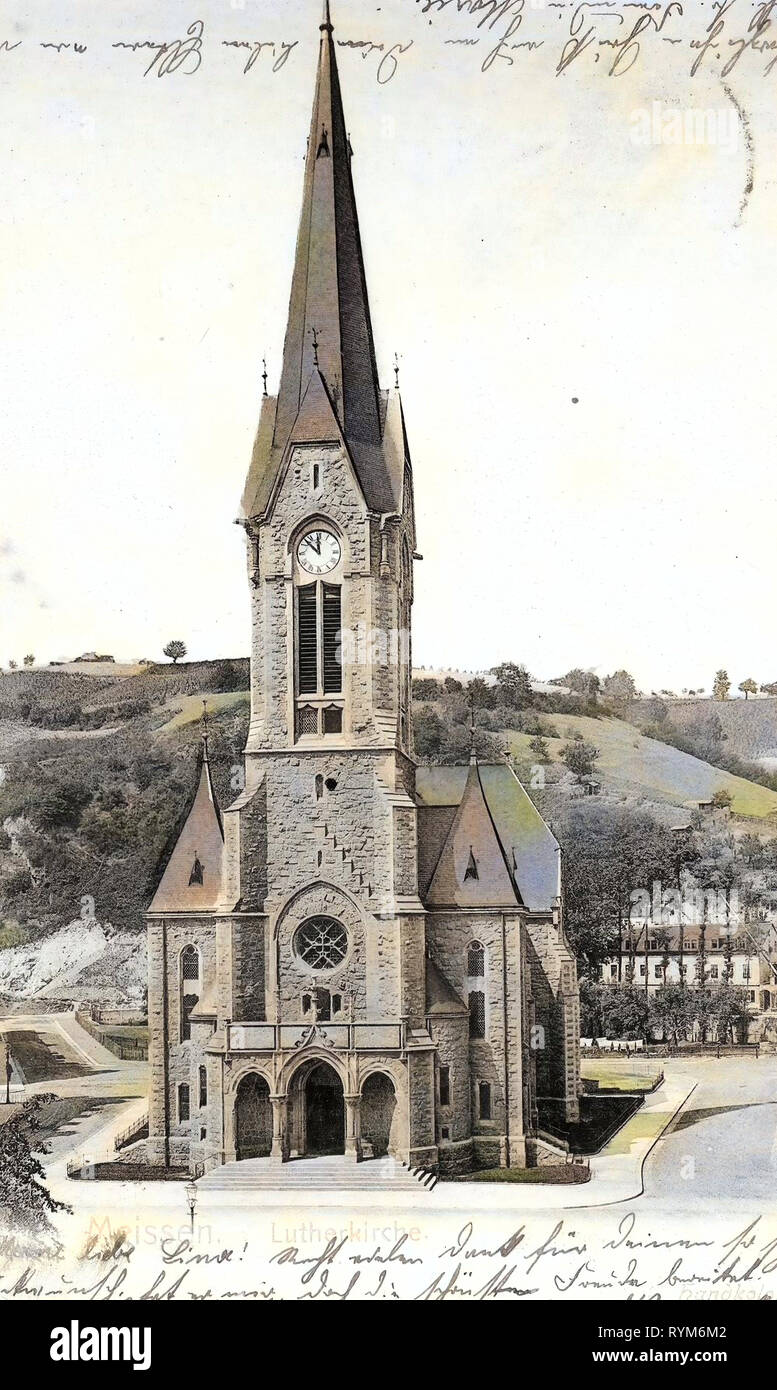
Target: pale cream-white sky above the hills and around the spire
[{"x": 584, "y": 325}]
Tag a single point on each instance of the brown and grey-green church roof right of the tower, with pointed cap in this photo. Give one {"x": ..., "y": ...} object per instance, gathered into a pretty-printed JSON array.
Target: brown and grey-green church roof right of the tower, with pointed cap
[{"x": 486, "y": 810}]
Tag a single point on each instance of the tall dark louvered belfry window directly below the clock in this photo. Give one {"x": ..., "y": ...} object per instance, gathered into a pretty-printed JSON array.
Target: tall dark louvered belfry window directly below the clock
[{"x": 319, "y": 660}]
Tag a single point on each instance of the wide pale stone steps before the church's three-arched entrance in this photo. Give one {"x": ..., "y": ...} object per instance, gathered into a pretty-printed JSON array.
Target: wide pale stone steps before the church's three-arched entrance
[{"x": 333, "y": 1174}]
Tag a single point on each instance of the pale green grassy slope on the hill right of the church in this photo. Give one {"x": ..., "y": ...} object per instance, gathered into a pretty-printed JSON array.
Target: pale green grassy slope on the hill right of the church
[{"x": 643, "y": 768}]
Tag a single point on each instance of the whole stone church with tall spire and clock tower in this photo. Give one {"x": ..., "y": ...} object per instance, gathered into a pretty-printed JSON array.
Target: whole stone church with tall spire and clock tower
[{"x": 361, "y": 956}]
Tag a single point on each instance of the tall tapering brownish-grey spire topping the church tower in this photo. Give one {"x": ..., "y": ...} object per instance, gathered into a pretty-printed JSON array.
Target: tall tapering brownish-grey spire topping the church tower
[{"x": 329, "y": 287}]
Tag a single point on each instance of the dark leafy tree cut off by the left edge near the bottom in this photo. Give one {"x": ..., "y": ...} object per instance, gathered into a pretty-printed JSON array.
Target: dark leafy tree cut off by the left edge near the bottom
[{"x": 24, "y": 1200}]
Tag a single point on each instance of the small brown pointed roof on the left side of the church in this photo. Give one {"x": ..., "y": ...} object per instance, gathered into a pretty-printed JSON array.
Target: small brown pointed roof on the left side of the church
[{"x": 193, "y": 876}]
